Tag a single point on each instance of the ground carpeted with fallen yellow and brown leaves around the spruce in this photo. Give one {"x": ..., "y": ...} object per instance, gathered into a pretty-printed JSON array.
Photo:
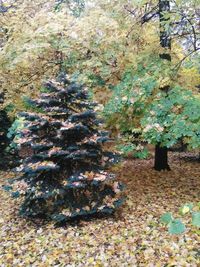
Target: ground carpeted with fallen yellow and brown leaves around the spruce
[{"x": 132, "y": 237}]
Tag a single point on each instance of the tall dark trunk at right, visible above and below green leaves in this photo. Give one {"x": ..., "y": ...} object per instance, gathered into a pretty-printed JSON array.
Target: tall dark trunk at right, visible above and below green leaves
[{"x": 161, "y": 153}]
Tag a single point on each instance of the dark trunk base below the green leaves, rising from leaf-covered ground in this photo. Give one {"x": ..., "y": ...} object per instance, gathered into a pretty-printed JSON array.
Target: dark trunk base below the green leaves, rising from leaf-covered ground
[{"x": 161, "y": 158}]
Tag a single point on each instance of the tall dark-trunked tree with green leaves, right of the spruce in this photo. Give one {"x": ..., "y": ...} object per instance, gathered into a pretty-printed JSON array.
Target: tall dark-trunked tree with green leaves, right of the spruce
[{"x": 166, "y": 20}]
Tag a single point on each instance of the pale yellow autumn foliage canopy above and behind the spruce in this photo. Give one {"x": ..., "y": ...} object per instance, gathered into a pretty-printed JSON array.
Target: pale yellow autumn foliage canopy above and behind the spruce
[{"x": 105, "y": 41}]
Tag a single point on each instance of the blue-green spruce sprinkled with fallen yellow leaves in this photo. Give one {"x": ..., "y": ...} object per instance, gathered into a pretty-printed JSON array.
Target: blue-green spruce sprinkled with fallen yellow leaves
[{"x": 63, "y": 176}]
